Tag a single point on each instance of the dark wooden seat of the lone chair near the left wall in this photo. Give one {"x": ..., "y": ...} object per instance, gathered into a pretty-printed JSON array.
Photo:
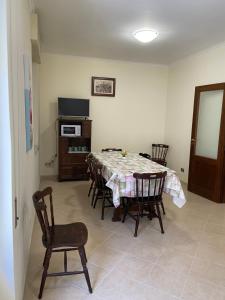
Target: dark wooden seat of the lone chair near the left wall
[{"x": 69, "y": 235}]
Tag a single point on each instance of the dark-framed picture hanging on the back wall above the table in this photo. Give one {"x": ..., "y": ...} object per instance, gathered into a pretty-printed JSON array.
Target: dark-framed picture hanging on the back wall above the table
[{"x": 103, "y": 86}]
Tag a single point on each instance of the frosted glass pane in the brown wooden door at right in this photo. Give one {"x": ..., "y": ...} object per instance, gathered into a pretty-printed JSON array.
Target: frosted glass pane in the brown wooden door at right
[{"x": 208, "y": 129}]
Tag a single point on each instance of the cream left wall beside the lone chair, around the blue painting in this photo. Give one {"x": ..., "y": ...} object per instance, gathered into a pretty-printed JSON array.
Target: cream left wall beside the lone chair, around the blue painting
[{"x": 25, "y": 179}]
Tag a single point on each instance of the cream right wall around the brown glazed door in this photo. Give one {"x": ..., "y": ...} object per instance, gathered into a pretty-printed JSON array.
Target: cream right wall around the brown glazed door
[{"x": 206, "y": 67}]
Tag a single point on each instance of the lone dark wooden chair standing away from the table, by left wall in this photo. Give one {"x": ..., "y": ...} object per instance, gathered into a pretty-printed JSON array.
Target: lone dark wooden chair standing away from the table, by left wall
[{"x": 59, "y": 238}]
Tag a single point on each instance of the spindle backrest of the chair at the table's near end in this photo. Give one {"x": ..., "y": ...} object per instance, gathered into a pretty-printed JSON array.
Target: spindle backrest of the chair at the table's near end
[{"x": 149, "y": 186}]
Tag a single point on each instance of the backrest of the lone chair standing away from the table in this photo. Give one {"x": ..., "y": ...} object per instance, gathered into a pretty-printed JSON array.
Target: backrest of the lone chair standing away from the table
[{"x": 42, "y": 214}]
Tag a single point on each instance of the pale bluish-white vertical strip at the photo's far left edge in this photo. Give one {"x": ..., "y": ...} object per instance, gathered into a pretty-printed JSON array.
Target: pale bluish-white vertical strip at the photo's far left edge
[{"x": 7, "y": 288}]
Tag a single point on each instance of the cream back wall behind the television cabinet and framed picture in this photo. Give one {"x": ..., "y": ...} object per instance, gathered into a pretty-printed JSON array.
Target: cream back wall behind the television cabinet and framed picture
[{"x": 132, "y": 120}]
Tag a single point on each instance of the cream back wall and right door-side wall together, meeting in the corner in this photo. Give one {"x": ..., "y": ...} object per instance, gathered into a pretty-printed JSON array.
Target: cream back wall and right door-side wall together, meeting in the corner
[{"x": 141, "y": 113}]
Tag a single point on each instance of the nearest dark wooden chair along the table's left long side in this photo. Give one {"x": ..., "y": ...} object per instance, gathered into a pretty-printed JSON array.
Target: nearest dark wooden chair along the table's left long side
[{"x": 101, "y": 191}]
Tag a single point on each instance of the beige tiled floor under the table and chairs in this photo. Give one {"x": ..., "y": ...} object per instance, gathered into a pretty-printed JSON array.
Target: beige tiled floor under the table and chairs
[{"x": 187, "y": 262}]
